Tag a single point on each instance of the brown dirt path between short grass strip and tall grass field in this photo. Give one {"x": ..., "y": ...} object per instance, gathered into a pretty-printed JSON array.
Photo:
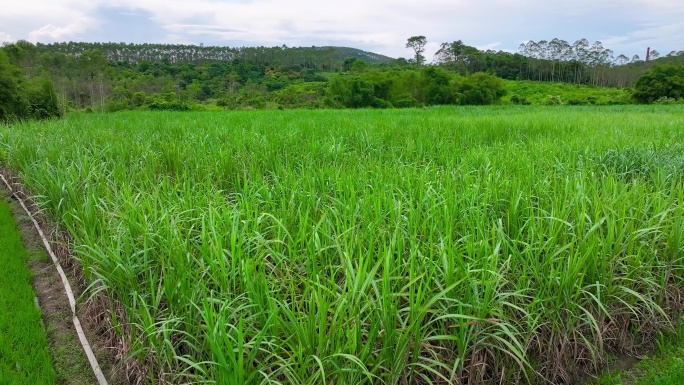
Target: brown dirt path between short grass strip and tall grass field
[{"x": 69, "y": 360}]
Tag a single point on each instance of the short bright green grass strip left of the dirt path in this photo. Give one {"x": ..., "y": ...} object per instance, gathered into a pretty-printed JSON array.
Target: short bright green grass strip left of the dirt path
[{"x": 24, "y": 356}]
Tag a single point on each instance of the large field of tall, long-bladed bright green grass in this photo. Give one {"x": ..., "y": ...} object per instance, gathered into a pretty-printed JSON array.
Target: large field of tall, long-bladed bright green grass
[{"x": 440, "y": 245}]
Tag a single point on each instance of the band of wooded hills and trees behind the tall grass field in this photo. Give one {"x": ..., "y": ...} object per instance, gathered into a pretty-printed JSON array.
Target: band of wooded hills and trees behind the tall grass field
[{"x": 117, "y": 76}]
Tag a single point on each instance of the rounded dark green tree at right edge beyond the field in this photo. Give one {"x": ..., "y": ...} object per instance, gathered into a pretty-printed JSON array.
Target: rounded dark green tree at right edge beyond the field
[{"x": 660, "y": 82}]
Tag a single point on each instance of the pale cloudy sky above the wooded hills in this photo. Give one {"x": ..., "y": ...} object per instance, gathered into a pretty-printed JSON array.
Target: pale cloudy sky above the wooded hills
[{"x": 626, "y": 26}]
